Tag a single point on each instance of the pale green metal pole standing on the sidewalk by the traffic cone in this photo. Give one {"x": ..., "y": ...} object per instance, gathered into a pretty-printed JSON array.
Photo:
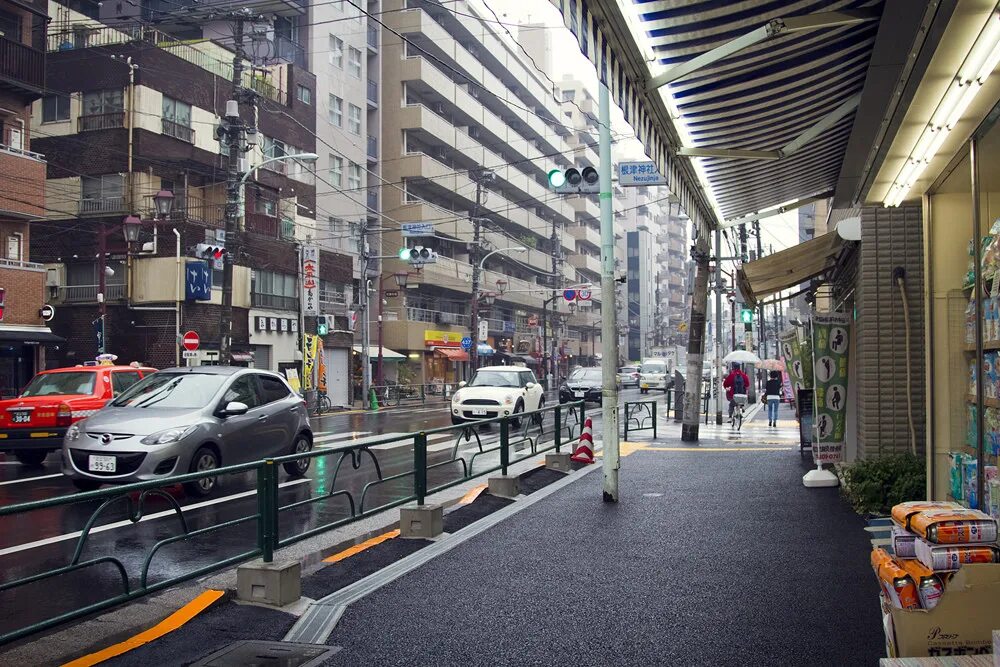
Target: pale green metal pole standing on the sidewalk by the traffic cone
[{"x": 609, "y": 360}]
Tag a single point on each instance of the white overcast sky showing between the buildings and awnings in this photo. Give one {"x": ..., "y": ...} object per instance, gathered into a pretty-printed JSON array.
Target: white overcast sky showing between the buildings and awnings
[{"x": 779, "y": 231}]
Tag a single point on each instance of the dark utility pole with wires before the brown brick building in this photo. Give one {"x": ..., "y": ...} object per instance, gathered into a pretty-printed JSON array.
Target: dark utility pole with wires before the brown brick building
[{"x": 233, "y": 133}]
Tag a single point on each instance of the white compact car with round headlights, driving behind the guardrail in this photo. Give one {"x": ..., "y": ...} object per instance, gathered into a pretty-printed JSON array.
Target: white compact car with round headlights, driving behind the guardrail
[{"x": 496, "y": 391}]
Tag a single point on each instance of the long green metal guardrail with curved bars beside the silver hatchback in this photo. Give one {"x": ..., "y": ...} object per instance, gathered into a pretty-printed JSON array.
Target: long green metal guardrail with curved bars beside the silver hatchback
[{"x": 529, "y": 429}]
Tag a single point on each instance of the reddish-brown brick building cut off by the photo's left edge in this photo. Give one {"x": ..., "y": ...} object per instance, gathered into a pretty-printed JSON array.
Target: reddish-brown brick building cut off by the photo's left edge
[{"x": 23, "y": 333}]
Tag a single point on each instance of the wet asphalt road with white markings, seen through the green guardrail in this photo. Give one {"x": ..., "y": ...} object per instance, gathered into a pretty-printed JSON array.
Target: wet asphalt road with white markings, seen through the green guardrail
[{"x": 47, "y": 539}]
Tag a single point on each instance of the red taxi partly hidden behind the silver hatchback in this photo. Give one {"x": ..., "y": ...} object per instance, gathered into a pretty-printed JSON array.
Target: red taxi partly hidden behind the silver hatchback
[{"x": 33, "y": 424}]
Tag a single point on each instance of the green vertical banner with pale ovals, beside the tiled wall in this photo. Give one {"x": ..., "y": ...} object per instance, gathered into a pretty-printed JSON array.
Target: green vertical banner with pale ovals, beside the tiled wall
[{"x": 830, "y": 336}]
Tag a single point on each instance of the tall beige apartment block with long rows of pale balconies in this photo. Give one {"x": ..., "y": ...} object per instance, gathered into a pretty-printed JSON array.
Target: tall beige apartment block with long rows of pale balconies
[{"x": 460, "y": 96}]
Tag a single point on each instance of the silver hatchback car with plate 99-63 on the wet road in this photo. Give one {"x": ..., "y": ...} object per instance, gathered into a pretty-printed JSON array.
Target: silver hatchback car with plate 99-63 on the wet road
[{"x": 182, "y": 420}]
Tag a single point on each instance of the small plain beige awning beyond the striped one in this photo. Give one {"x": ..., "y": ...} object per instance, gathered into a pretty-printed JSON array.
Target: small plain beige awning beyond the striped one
[{"x": 790, "y": 267}]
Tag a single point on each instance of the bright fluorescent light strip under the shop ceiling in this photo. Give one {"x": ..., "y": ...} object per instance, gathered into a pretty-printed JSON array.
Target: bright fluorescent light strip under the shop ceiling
[{"x": 979, "y": 63}]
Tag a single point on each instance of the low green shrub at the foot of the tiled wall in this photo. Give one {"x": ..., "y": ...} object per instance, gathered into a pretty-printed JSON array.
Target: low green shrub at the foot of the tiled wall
[{"x": 874, "y": 485}]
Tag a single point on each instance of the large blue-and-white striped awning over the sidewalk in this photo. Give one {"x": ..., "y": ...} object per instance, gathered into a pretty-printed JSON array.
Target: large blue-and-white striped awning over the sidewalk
[{"x": 769, "y": 121}]
